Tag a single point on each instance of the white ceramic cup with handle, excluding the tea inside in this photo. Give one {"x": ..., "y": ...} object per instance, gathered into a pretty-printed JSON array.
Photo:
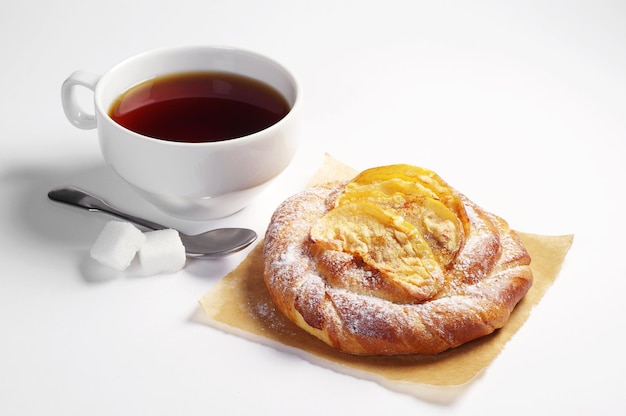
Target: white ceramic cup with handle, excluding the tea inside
[{"x": 194, "y": 181}]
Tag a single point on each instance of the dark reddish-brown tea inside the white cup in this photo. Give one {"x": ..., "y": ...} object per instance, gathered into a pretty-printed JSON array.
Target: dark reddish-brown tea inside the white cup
[{"x": 199, "y": 107}]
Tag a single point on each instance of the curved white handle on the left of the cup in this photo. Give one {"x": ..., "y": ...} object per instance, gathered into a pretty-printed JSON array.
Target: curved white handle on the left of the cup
[{"x": 74, "y": 112}]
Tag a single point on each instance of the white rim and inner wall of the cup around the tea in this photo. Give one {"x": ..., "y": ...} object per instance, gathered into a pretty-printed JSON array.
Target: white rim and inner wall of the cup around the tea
[{"x": 190, "y": 48}]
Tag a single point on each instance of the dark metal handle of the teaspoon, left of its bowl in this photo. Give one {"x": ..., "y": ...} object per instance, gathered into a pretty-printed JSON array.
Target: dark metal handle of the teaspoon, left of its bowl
[{"x": 74, "y": 196}]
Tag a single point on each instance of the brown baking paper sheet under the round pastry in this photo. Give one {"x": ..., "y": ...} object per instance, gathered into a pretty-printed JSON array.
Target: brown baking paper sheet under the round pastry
[{"x": 240, "y": 304}]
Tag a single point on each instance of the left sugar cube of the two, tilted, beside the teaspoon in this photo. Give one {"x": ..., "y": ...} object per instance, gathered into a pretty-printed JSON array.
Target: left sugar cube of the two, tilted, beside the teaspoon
[{"x": 117, "y": 244}]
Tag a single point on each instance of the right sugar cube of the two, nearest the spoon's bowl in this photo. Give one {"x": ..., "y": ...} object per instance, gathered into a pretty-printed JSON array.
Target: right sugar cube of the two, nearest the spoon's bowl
[{"x": 162, "y": 252}]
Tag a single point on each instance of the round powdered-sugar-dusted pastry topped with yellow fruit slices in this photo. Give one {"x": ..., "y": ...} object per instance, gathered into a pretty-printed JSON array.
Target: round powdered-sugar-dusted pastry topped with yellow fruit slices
[{"x": 394, "y": 261}]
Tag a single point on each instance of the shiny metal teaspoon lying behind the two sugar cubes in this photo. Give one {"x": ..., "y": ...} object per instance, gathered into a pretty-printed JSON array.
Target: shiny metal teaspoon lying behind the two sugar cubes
[{"x": 211, "y": 244}]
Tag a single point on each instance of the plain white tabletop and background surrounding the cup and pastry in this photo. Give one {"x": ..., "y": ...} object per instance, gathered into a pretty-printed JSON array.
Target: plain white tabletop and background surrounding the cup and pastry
[{"x": 521, "y": 105}]
